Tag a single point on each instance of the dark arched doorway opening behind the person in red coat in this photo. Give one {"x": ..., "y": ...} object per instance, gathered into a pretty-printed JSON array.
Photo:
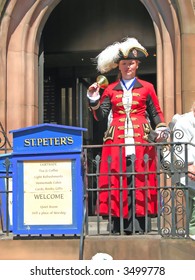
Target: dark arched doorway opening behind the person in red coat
[{"x": 70, "y": 38}]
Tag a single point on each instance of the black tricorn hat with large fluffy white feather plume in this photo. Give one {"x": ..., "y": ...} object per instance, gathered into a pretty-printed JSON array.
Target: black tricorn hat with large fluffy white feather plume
[{"x": 129, "y": 48}]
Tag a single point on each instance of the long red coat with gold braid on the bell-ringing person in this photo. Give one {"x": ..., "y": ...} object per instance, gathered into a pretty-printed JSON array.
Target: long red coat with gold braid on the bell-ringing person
[{"x": 144, "y": 100}]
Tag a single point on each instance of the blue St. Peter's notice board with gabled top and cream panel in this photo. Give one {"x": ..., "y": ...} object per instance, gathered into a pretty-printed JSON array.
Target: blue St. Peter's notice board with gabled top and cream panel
[{"x": 47, "y": 180}]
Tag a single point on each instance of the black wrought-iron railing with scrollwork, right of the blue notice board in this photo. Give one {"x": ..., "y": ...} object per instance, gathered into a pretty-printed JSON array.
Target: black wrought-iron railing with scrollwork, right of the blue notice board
[{"x": 172, "y": 219}]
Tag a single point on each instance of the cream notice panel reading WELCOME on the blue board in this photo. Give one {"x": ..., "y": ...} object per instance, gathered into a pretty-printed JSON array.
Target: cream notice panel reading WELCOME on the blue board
[{"x": 47, "y": 192}]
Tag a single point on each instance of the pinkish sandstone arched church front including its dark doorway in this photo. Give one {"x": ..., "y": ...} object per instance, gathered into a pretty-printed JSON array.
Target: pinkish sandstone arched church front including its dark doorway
[{"x": 38, "y": 36}]
